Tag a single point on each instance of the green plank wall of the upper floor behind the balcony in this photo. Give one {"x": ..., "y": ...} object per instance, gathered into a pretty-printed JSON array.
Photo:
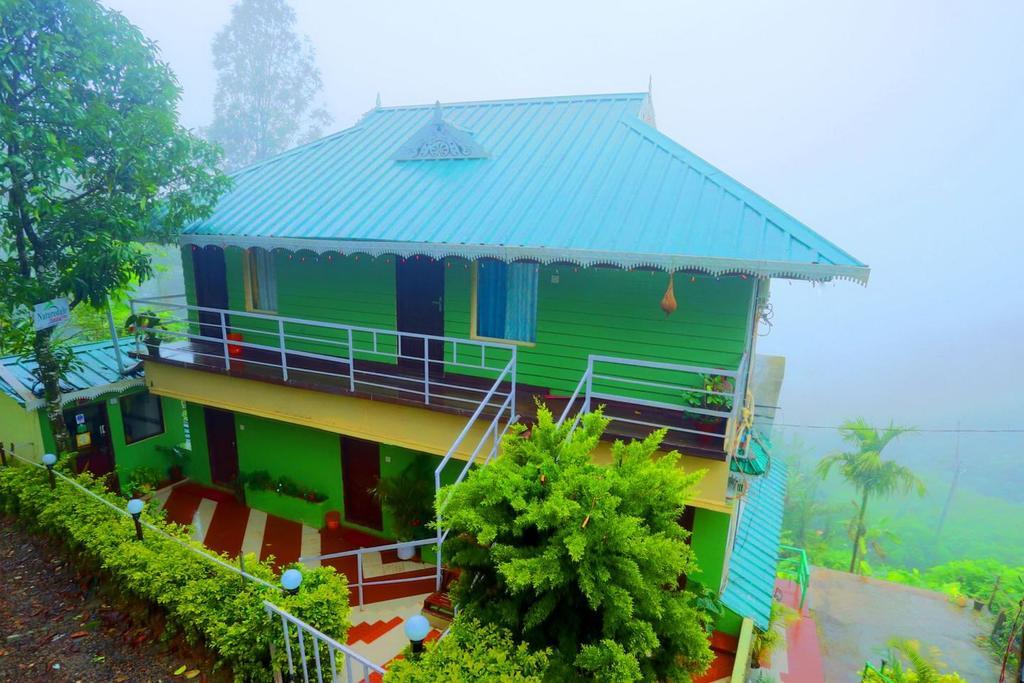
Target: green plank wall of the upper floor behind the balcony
[{"x": 581, "y": 312}]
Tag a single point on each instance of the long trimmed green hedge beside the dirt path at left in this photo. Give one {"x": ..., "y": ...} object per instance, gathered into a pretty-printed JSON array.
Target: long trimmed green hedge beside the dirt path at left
[{"x": 205, "y": 602}]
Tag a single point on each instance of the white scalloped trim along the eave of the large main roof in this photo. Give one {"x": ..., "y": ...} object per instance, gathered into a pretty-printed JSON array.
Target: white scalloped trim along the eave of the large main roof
[{"x": 712, "y": 266}]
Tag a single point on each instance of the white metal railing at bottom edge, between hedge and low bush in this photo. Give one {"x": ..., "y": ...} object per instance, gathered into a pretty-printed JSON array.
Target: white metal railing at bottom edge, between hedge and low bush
[{"x": 329, "y": 658}]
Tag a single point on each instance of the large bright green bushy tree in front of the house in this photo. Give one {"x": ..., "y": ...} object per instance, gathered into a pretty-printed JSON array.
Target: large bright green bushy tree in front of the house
[{"x": 580, "y": 558}]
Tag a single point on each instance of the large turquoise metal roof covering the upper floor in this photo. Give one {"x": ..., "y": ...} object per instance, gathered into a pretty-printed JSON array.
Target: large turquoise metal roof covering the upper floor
[{"x": 584, "y": 180}]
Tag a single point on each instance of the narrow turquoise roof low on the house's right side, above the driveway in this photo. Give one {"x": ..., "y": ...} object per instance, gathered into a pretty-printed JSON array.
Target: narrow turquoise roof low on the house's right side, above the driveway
[{"x": 754, "y": 562}]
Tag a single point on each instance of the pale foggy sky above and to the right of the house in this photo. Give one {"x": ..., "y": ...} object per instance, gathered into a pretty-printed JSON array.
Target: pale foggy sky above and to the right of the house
[{"x": 894, "y": 130}]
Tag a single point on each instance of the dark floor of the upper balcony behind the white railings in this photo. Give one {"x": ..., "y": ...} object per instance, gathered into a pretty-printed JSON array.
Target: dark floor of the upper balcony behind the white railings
[{"x": 462, "y": 393}]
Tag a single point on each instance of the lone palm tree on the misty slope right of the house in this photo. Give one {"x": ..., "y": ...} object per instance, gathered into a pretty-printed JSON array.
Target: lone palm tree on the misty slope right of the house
[{"x": 865, "y": 469}]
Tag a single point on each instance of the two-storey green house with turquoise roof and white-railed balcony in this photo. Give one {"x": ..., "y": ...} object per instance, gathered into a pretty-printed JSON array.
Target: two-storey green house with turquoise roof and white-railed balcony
[{"x": 389, "y": 300}]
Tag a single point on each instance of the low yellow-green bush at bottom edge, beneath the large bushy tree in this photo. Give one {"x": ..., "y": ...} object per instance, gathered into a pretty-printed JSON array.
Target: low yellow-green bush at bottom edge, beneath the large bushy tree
[{"x": 472, "y": 652}]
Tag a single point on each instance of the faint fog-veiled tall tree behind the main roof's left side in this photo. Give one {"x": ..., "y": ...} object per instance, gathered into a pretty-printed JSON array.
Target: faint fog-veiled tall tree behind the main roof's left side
[{"x": 268, "y": 82}]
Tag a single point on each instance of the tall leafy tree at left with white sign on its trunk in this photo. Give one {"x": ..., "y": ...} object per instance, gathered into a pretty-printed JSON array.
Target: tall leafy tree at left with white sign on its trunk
[{"x": 93, "y": 160}]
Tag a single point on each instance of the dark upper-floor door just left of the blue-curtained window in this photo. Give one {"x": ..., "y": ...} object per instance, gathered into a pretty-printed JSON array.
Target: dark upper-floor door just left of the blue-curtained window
[{"x": 420, "y": 310}]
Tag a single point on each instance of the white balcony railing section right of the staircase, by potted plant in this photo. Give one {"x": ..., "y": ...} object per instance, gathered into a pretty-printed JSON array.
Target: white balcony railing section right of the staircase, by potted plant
[{"x": 677, "y": 395}]
